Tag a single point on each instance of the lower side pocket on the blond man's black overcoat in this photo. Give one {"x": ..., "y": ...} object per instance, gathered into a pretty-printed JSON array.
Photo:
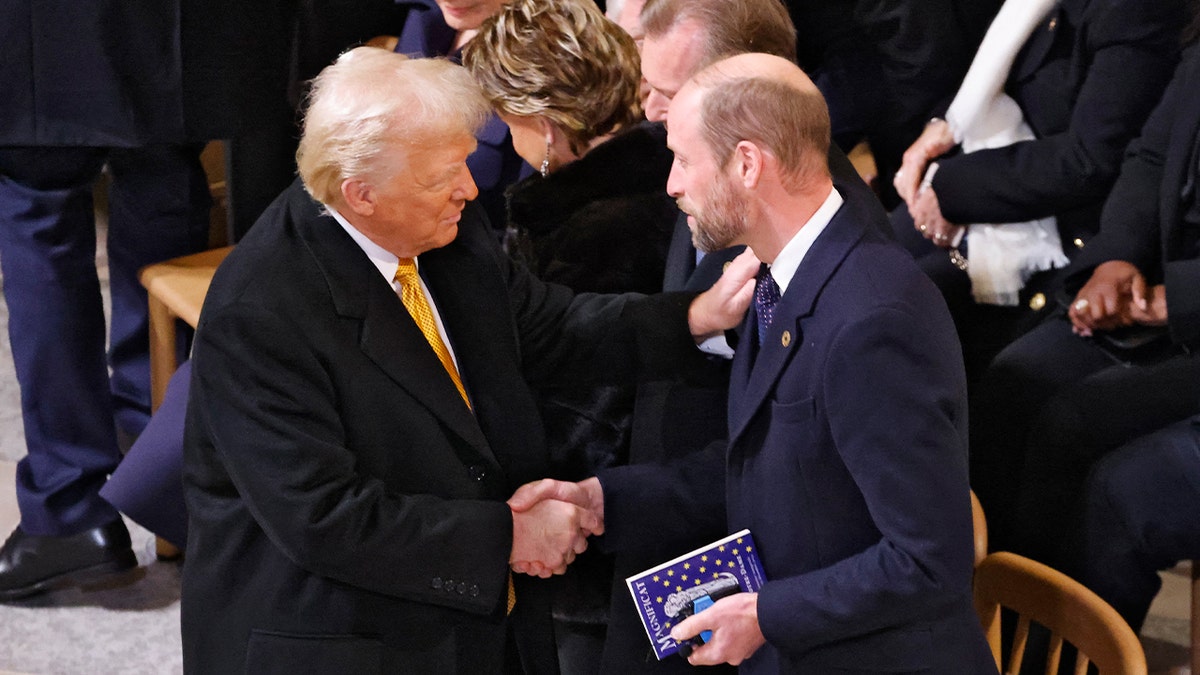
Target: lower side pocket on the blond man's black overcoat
[{"x": 272, "y": 653}]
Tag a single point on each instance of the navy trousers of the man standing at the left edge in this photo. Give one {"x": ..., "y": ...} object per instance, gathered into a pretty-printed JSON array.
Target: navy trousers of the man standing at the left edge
[{"x": 159, "y": 208}]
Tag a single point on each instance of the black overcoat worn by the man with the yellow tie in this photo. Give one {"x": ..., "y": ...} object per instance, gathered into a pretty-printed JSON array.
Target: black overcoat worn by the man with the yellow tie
[{"x": 347, "y": 510}]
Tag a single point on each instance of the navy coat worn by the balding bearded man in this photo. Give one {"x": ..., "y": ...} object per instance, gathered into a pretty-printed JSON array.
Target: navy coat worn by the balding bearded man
[{"x": 848, "y": 461}]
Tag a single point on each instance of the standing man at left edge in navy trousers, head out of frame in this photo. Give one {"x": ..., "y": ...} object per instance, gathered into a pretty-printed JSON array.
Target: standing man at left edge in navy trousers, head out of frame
[{"x": 137, "y": 88}]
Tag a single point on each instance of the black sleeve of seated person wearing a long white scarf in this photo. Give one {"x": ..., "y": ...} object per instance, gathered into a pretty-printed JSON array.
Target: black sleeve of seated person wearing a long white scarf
[{"x": 1133, "y": 53}]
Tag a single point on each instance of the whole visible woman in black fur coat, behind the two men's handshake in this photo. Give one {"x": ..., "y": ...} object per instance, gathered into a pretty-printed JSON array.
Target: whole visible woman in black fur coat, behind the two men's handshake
[{"x": 596, "y": 218}]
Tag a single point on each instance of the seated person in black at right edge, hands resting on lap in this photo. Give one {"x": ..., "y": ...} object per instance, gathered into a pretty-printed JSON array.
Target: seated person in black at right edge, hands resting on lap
[{"x": 1121, "y": 361}]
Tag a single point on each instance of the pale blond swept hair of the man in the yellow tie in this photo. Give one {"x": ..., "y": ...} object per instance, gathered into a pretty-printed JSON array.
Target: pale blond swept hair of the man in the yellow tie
[{"x": 370, "y": 105}]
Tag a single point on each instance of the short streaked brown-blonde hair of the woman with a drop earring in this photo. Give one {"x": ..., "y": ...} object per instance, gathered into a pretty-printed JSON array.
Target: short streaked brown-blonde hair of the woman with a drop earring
[{"x": 561, "y": 59}]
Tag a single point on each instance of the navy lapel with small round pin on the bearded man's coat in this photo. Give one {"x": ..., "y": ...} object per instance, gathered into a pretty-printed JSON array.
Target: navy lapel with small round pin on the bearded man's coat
[{"x": 754, "y": 377}]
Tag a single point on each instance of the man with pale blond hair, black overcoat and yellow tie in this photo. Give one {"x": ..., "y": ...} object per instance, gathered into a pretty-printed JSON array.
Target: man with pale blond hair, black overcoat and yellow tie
[{"x": 359, "y": 409}]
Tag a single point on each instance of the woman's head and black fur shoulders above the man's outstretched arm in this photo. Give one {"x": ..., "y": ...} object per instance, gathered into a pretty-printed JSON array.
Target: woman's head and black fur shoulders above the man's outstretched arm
[{"x": 566, "y": 80}]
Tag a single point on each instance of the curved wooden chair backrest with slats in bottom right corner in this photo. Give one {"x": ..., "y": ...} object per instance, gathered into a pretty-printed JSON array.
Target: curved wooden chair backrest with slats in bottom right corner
[{"x": 1071, "y": 612}]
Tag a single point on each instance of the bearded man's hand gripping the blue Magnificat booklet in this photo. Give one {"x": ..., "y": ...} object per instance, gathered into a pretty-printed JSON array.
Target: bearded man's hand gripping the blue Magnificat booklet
[{"x": 734, "y": 622}]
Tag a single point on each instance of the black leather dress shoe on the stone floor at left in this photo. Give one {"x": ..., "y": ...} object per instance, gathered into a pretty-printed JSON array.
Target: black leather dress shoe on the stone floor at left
[{"x": 32, "y": 564}]
